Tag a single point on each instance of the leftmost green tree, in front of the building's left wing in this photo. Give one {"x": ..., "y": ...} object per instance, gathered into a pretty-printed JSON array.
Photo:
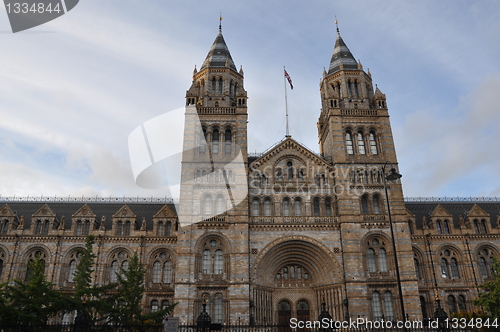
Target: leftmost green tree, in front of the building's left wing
[{"x": 33, "y": 301}]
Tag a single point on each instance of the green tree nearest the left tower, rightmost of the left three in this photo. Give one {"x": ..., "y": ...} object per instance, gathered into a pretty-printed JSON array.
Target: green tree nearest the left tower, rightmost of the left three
[{"x": 128, "y": 310}]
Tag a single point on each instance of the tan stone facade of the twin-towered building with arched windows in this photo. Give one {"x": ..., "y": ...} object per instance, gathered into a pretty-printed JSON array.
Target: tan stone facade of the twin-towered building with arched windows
[{"x": 291, "y": 231}]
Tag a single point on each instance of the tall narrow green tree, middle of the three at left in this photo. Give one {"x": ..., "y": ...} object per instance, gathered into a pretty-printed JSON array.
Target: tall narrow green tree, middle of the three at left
[{"x": 98, "y": 299}]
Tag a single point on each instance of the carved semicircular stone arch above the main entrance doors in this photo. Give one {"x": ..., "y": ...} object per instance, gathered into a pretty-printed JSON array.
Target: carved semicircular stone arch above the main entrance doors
[{"x": 303, "y": 250}]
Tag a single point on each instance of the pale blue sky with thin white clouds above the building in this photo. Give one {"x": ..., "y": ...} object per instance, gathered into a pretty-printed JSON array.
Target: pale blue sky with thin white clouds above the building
[{"x": 72, "y": 90}]
